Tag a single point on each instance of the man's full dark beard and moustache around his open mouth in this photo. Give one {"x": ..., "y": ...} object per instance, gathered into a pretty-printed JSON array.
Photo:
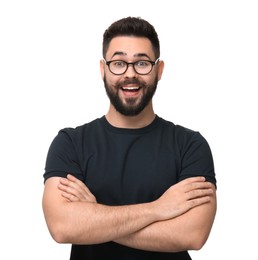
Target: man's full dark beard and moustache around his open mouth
[{"x": 131, "y": 106}]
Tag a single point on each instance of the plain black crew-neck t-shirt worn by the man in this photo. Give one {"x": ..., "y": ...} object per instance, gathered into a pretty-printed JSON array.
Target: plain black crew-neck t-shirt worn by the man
[{"x": 127, "y": 166}]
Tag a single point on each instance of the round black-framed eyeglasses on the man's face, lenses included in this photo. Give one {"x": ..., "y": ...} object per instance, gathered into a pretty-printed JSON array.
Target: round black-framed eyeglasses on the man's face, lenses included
[{"x": 142, "y": 67}]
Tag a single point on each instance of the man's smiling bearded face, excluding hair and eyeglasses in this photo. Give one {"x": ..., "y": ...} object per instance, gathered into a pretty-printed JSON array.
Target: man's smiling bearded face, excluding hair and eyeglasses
[{"x": 130, "y": 92}]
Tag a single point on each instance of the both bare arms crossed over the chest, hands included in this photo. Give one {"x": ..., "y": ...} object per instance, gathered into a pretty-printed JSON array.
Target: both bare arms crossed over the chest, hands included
[{"x": 181, "y": 219}]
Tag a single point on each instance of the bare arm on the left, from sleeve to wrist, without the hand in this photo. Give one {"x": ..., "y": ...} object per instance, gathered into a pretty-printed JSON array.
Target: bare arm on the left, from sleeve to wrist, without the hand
[{"x": 90, "y": 223}]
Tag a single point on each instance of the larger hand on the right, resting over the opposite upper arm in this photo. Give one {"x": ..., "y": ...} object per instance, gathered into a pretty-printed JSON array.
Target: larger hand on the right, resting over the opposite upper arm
[{"x": 183, "y": 196}]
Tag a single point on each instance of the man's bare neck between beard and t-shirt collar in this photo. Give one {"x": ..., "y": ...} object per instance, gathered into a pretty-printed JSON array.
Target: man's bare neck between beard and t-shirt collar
[{"x": 141, "y": 120}]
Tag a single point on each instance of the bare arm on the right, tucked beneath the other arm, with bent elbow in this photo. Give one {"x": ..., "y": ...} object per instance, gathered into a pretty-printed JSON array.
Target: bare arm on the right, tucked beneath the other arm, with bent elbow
[{"x": 185, "y": 232}]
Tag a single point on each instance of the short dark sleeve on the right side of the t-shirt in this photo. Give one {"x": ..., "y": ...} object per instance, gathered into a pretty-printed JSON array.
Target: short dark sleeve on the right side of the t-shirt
[{"x": 197, "y": 159}]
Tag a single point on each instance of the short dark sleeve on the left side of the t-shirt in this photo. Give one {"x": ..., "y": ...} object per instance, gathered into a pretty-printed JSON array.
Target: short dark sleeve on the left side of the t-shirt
[{"x": 62, "y": 158}]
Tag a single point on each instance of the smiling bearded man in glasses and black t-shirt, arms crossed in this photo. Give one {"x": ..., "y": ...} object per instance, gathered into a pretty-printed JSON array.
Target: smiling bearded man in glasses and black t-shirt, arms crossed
[{"x": 130, "y": 185}]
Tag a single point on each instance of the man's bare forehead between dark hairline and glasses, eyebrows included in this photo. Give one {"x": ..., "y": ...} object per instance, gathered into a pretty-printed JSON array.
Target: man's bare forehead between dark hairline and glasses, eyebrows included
[{"x": 130, "y": 46}]
